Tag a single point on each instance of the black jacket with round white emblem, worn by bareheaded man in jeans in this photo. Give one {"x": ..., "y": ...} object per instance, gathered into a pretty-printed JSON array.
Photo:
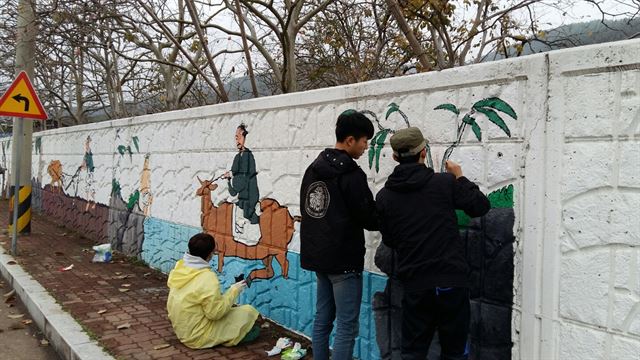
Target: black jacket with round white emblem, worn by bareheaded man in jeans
[{"x": 336, "y": 205}]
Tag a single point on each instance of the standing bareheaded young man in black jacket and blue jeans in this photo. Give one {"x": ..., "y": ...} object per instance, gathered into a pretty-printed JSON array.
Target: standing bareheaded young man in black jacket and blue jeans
[{"x": 336, "y": 205}]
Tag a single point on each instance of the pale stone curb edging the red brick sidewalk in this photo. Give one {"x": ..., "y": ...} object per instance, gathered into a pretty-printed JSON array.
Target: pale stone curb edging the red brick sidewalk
[{"x": 63, "y": 331}]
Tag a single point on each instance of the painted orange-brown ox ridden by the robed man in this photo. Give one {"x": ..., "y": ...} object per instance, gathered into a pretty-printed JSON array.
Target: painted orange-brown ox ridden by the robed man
[{"x": 276, "y": 228}]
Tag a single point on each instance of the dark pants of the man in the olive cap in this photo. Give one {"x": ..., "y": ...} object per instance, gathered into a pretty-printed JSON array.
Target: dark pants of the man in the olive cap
[{"x": 443, "y": 309}]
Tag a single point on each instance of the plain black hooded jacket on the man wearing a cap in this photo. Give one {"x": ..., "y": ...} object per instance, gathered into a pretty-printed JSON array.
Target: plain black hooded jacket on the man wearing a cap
[{"x": 417, "y": 215}]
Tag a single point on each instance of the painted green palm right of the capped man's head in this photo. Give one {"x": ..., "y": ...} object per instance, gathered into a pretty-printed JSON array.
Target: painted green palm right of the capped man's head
[{"x": 486, "y": 107}]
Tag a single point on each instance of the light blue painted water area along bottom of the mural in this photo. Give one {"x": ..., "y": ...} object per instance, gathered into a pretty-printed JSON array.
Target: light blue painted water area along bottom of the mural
[{"x": 289, "y": 302}]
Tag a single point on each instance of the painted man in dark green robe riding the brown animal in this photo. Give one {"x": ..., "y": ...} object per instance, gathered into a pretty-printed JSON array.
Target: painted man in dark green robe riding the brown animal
[{"x": 243, "y": 182}]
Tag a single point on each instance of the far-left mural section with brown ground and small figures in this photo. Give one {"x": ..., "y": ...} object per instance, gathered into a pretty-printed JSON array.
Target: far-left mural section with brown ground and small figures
[{"x": 121, "y": 222}]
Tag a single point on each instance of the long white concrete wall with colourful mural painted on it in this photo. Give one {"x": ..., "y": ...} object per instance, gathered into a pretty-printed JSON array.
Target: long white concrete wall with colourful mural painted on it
[{"x": 555, "y": 263}]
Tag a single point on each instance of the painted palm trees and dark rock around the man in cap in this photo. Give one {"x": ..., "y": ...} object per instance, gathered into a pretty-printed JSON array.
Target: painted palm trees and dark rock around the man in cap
[{"x": 489, "y": 243}]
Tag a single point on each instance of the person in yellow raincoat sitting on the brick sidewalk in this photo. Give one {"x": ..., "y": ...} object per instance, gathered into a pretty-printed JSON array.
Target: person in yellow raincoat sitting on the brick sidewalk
[{"x": 201, "y": 316}]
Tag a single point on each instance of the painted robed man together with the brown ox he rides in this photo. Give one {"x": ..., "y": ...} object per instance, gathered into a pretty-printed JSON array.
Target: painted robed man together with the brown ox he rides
[{"x": 242, "y": 224}]
